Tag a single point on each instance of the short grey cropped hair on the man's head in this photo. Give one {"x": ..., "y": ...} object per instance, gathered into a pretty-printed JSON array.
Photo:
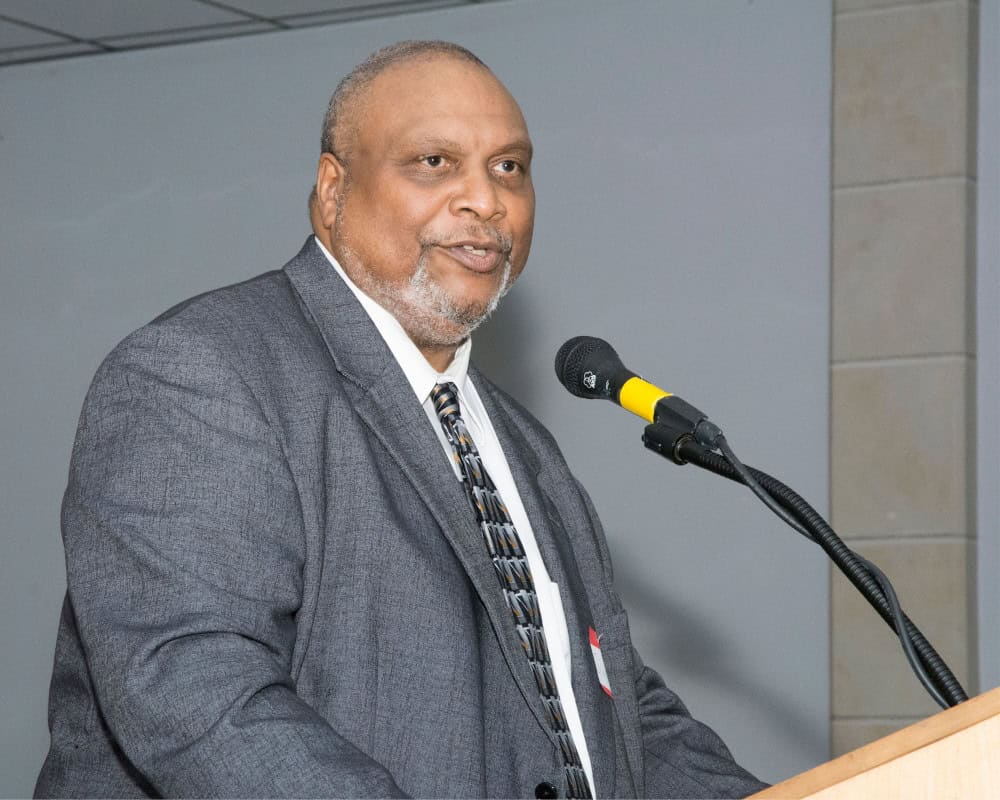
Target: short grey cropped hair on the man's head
[{"x": 346, "y": 107}]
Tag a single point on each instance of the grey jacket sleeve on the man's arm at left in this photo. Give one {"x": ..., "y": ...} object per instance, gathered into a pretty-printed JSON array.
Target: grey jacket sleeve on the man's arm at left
[{"x": 185, "y": 551}]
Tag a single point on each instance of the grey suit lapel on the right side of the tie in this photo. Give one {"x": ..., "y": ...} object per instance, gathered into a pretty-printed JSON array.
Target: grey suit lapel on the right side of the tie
[{"x": 557, "y": 546}]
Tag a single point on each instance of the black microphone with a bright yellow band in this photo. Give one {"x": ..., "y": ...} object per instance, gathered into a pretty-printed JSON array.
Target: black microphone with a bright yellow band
[{"x": 589, "y": 367}]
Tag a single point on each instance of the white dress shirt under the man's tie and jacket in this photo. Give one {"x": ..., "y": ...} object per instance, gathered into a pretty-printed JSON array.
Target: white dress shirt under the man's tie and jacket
[{"x": 422, "y": 378}]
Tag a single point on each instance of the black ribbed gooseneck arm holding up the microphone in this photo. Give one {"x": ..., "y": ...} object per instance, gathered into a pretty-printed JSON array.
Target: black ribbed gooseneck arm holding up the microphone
[{"x": 845, "y": 559}]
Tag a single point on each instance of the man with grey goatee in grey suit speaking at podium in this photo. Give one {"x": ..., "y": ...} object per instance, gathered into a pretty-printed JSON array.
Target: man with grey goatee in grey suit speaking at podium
[{"x": 291, "y": 500}]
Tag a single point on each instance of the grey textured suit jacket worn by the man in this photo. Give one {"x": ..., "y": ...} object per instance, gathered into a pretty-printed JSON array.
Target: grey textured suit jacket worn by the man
[{"x": 276, "y": 586}]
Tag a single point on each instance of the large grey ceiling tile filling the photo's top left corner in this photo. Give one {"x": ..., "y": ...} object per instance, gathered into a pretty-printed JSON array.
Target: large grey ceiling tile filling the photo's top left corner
[{"x": 94, "y": 19}]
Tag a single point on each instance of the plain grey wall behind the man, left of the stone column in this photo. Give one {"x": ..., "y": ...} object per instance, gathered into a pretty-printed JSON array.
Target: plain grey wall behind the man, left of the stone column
[{"x": 683, "y": 184}]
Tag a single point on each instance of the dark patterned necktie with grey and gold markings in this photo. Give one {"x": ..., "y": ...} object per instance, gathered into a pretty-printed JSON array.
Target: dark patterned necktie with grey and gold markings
[{"x": 512, "y": 569}]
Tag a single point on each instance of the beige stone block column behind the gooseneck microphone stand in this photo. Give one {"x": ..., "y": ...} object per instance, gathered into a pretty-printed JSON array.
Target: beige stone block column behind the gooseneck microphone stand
[{"x": 902, "y": 439}]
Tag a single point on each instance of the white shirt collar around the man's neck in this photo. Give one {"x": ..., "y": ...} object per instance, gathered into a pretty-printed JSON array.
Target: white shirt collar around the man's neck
[{"x": 419, "y": 373}]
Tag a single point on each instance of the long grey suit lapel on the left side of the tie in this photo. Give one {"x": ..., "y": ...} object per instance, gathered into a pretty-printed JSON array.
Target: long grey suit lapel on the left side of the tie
[{"x": 385, "y": 402}]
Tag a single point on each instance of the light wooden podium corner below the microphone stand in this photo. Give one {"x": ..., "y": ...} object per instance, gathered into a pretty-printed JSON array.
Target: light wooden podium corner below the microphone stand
[{"x": 954, "y": 754}]
